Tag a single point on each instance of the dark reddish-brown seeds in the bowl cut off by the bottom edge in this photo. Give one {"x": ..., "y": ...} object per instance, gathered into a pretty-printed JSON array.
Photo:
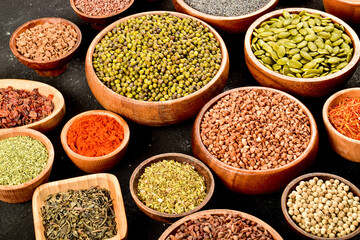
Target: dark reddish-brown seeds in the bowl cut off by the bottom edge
[{"x": 225, "y": 226}]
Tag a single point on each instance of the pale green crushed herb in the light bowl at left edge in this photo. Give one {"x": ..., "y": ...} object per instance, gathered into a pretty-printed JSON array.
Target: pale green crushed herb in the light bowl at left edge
[{"x": 22, "y": 158}]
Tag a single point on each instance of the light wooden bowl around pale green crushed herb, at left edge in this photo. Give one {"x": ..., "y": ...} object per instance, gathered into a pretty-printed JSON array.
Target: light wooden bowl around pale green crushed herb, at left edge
[{"x": 24, "y": 192}]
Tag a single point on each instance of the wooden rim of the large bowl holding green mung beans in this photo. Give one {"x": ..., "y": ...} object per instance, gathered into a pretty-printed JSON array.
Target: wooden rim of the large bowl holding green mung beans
[{"x": 99, "y": 36}]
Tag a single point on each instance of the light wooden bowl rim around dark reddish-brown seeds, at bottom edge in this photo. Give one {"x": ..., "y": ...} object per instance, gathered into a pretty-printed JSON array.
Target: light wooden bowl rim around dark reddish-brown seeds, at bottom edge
[{"x": 172, "y": 229}]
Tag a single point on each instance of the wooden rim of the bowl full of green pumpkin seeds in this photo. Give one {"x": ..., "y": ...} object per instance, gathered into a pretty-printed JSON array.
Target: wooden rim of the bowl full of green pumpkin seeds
[{"x": 350, "y": 32}]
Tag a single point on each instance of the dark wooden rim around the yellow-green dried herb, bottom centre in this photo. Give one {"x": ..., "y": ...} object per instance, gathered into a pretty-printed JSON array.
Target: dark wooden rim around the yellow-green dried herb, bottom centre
[{"x": 165, "y": 156}]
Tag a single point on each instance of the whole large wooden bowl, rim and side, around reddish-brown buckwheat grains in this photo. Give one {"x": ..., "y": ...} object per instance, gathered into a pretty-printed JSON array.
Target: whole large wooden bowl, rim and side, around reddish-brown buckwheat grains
[{"x": 255, "y": 181}]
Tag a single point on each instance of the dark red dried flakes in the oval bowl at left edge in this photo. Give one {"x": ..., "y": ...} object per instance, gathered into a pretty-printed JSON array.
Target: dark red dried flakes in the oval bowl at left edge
[{"x": 21, "y": 107}]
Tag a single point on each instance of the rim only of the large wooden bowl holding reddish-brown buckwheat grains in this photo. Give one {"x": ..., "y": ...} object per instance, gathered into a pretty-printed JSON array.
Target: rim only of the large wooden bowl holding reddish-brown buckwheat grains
[{"x": 227, "y": 167}]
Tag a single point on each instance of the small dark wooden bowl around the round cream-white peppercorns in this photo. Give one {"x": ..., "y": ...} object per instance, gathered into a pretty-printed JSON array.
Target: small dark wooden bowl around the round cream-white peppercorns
[{"x": 292, "y": 185}]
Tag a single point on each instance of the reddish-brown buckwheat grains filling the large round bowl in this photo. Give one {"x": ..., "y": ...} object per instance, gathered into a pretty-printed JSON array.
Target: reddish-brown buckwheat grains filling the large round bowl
[{"x": 255, "y": 129}]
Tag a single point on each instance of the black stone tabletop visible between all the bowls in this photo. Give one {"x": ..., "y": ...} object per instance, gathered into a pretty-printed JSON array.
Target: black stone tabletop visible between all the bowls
[{"x": 16, "y": 220}]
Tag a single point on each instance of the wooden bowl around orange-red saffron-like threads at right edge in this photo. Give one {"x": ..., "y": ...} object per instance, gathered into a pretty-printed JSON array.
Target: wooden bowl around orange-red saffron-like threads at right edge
[{"x": 346, "y": 147}]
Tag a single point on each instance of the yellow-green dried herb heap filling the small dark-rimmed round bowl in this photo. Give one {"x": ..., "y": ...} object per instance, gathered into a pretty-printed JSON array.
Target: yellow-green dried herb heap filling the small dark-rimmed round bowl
[{"x": 171, "y": 187}]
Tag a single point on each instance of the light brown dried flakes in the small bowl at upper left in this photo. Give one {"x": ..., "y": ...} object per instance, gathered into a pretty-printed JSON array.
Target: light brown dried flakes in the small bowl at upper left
[{"x": 46, "y": 42}]
